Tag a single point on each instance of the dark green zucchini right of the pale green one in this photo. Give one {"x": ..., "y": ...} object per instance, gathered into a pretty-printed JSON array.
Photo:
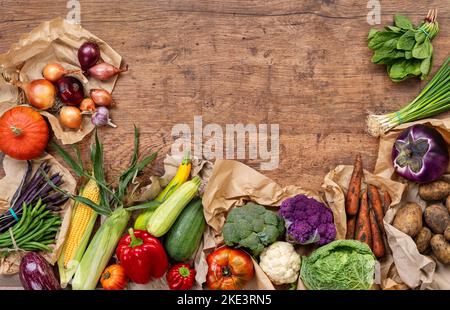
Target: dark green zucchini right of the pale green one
[{"x": 185, "y": 235}]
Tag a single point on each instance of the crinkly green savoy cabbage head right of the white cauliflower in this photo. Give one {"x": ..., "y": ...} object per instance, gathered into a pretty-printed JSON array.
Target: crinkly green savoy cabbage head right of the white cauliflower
[{"x": 339, "y": 265}]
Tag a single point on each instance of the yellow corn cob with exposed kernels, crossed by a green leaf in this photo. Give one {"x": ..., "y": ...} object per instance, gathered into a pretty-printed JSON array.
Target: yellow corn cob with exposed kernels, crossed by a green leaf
[{"x": 80, "y": 229}]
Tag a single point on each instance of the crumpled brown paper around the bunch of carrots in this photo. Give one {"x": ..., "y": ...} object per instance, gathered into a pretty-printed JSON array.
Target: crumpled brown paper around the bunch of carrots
[{"x": 335, "y": 187}]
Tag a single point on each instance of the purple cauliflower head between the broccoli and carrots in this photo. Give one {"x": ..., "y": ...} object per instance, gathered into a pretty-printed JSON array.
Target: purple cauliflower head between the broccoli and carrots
[{"x": 307, "y": 221}]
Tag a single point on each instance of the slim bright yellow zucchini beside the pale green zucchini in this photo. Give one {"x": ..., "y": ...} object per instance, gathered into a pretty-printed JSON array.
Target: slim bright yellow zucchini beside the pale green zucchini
[{"x": 182, "y": 175}]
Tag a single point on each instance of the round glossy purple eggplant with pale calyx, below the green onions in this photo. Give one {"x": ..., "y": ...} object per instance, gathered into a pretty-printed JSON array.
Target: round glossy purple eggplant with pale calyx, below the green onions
[{"x": 431, "y": 156}]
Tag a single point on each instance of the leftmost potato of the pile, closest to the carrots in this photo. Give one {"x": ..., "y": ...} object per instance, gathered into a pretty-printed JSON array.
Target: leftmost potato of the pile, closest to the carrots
[{"x": 409, "y": 219}]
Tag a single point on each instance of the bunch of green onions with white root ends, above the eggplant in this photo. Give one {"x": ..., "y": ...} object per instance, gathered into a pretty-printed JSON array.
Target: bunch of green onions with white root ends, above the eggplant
[{"x": 434, "y": 99}]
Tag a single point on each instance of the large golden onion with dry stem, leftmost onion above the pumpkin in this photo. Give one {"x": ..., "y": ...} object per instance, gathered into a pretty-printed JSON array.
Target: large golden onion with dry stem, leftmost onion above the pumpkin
[{"x": 41, "y": 94}]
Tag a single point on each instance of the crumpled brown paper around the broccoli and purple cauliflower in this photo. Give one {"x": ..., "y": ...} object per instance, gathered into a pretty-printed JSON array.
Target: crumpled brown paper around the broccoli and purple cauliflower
[{"x": 231, "y": 185}]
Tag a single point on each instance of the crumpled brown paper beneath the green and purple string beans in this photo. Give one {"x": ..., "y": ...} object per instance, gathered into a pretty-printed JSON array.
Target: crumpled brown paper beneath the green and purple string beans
[{"x": 14, "y": 170}]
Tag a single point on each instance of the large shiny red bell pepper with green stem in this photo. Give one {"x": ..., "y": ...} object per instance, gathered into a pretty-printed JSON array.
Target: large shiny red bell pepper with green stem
[{"x": 142, "y": 256}]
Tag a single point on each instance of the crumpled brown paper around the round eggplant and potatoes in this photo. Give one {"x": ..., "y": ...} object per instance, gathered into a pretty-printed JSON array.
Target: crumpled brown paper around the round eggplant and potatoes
[{"x": 416, "y": 270}]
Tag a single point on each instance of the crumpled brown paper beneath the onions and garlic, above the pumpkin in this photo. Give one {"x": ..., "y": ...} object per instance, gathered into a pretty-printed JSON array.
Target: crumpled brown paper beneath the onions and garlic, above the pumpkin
[{"x": 52, "y": 41}]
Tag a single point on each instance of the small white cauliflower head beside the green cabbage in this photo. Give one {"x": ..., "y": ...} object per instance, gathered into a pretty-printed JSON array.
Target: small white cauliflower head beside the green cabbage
[{"x": 280, "y": 263}]
